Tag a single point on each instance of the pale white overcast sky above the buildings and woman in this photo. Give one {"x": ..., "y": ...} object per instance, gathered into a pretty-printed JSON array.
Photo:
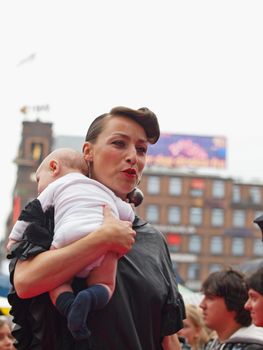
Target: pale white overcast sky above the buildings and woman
[{"x": 197, "y": 64}]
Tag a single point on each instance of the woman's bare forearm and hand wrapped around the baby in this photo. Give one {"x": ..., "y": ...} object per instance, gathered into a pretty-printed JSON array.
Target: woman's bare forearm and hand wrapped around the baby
[{"x": 48, "y": 270}]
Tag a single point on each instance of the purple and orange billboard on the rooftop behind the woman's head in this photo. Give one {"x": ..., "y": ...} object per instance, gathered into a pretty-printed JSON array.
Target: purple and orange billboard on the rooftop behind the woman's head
[{"x": 177, "y": 151}]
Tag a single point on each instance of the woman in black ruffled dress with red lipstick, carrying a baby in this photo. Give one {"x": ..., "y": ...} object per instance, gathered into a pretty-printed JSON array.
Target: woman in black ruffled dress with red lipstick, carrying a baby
[{"x": 146, "y": 309}]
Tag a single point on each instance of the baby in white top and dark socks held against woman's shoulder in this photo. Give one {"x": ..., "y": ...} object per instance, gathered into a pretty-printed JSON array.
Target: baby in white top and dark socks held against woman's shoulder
[{"x": 78, "y": 201}]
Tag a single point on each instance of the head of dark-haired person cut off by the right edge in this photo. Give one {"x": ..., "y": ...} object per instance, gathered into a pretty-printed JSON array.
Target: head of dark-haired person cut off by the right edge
[{"x": 254, "y": 304}]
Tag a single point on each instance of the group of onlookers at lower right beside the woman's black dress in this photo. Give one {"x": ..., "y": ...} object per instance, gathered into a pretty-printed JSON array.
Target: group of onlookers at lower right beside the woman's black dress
[{"x": 230, "y": 315}]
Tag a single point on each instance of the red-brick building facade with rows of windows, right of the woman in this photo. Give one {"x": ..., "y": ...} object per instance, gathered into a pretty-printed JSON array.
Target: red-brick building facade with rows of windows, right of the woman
[{"x": 207, "y": 220}]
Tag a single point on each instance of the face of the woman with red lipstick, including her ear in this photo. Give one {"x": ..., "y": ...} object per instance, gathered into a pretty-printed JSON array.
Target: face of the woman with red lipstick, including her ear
[{"x": 119, "y": 154}]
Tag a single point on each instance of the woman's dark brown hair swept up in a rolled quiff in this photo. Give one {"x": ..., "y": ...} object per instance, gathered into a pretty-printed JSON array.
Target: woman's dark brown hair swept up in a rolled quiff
[{"x": 143, "y": 116}]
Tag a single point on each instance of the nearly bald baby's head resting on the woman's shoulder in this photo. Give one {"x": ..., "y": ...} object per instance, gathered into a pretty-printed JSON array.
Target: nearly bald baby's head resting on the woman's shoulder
[{"x": 58, "y": 163}]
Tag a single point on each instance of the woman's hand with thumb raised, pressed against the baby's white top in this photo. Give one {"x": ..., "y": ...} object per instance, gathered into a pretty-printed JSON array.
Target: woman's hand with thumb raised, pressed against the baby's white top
[{"x": 119, "y": 234}]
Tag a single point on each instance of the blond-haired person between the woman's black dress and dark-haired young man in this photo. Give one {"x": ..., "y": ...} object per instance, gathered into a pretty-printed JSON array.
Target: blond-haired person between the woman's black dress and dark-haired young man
[{"x": 195, "y": 332}]
